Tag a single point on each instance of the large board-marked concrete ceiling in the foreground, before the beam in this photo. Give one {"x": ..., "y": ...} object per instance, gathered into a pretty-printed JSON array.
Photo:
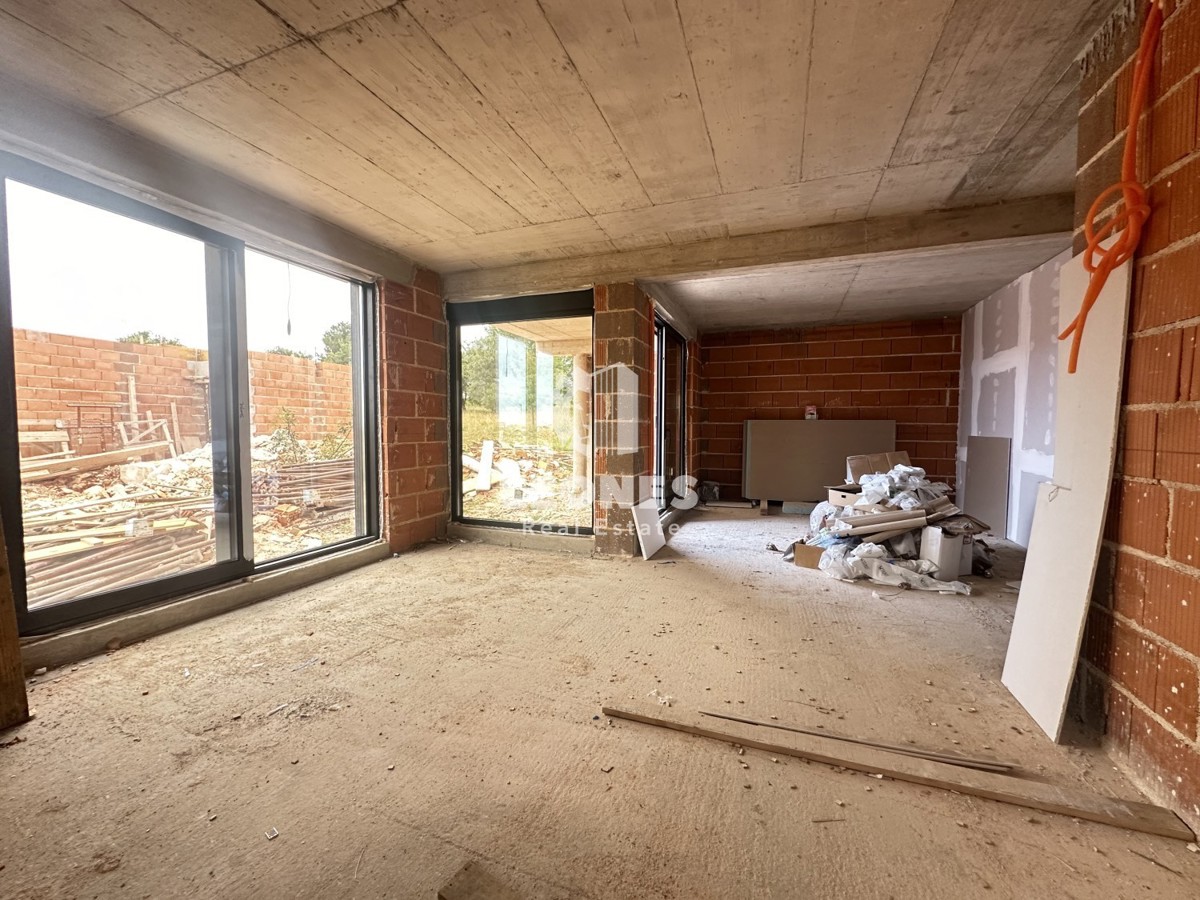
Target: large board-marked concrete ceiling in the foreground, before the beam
[{"x": 484, "y": 134}]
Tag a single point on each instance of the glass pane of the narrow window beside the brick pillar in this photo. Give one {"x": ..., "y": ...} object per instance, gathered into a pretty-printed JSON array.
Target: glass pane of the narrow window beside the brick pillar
[{"x": 527, "y": 422}]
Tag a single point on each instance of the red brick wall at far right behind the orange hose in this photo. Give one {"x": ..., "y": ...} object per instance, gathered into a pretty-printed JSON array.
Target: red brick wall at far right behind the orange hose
[{"x": 1142, "y": 651}]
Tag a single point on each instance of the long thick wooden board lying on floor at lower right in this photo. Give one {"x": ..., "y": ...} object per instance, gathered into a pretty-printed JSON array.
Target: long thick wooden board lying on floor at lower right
[{"x": 1033, "y": 795}]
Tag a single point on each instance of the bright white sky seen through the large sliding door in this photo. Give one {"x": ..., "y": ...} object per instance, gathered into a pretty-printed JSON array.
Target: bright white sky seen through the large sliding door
[{"x": 89, "y": 273}]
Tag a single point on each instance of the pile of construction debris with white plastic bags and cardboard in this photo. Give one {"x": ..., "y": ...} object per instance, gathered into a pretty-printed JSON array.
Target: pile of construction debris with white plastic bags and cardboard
[{"x": 895, "y": 527}]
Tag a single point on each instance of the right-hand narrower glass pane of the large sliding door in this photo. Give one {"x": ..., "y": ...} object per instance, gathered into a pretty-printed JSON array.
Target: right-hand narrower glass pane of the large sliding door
[{"x": 302, "y": 335}]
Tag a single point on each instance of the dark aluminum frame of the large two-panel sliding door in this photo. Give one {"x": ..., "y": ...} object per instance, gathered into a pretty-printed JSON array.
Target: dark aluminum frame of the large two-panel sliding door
[{"x": 230, "y": 386}]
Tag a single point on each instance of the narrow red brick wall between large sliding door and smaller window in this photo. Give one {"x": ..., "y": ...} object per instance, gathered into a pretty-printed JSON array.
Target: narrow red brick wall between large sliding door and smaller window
[{"x": 415, "y": 417}]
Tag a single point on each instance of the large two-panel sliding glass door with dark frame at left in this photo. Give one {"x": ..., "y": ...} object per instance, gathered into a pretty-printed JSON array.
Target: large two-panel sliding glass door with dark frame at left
[{"x": 153, "y": 452}]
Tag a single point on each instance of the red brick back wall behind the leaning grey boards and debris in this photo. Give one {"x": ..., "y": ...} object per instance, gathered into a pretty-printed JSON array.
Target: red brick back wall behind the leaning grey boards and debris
[{"x": 908, "y": 371}]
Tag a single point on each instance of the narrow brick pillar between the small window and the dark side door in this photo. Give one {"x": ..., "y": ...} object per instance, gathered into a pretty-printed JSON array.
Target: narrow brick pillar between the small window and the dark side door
[{"x": 625, "y": 339}]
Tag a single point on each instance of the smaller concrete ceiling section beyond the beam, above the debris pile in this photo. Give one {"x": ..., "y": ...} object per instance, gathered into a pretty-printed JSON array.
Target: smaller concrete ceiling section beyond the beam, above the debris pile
[{"x": 910, "y": 285}]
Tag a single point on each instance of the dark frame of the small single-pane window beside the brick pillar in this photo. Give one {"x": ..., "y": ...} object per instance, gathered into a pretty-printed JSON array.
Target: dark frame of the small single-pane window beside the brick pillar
[{"x": 574, "y": 304}]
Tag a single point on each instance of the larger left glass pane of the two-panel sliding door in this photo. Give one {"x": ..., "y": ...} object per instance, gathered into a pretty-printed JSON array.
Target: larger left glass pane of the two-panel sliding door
[{"x": 112, "y": 368}]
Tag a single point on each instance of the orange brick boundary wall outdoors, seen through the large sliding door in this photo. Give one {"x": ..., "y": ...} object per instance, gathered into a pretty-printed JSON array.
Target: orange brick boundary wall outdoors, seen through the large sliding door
[{"x": 55, "y": 371}]
